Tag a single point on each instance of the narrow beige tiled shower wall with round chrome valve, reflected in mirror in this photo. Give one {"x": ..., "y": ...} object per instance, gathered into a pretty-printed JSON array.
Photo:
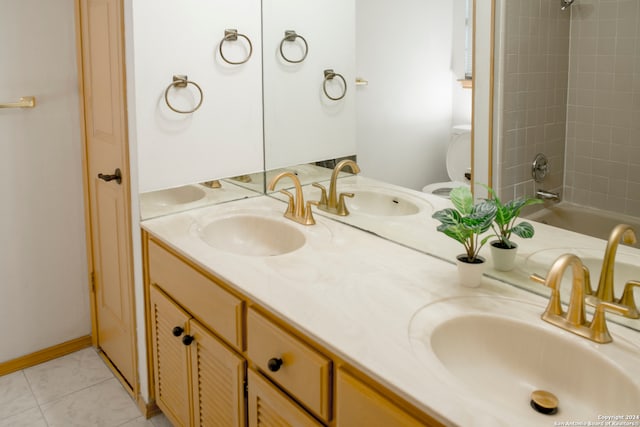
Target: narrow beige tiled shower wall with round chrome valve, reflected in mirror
[{"x": 534, "y": 85}]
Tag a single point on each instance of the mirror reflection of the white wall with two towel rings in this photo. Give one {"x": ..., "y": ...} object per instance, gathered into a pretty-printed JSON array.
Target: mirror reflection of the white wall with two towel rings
[{"x": 301, "y": 124}]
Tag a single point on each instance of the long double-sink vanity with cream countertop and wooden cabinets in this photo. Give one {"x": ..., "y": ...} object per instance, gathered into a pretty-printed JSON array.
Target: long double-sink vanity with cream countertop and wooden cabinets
[{"x": 331, "y": 325}]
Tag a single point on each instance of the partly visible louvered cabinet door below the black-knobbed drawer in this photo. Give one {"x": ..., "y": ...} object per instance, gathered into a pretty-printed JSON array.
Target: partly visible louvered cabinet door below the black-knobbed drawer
[{"x": 269, "y": 407}]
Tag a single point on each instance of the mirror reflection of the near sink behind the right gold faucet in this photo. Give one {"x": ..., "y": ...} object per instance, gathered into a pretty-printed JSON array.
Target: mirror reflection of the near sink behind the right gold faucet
[{"x": 626, "y": 267}]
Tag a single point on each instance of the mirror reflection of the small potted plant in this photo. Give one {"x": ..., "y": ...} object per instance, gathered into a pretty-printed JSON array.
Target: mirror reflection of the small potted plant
[{"x": 503, "y": 250}]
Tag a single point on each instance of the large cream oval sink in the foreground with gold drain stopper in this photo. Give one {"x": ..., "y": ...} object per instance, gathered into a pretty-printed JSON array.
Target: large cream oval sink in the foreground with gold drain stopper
[{"x": 500, "y": 351}]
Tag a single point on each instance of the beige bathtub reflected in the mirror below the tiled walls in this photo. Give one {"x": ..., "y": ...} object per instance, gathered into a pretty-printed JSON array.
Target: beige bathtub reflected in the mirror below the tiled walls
[{"x": 590, "y": 221}]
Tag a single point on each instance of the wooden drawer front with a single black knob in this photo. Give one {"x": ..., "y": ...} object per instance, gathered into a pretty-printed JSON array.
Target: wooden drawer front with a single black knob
[{"x": 303, "y": 372}]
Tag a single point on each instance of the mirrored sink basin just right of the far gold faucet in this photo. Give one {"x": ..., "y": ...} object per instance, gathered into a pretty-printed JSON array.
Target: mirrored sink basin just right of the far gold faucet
[{"x": 380, "y": 203}]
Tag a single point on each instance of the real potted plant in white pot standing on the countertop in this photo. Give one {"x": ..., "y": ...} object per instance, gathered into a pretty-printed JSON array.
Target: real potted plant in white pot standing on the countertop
[{"x": 465, "y": 222}]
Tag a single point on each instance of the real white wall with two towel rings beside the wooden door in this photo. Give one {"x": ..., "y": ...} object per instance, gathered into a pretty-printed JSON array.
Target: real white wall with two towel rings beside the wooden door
[{"x": 169, "y": 38}]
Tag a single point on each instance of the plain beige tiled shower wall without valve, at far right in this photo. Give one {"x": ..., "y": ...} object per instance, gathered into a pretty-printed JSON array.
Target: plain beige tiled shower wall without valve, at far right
[{"x": 603, "y": 132}]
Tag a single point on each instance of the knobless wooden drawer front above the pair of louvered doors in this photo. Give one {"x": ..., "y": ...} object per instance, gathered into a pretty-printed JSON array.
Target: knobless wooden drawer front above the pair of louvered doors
[{"x": 214, "y": 307}]
